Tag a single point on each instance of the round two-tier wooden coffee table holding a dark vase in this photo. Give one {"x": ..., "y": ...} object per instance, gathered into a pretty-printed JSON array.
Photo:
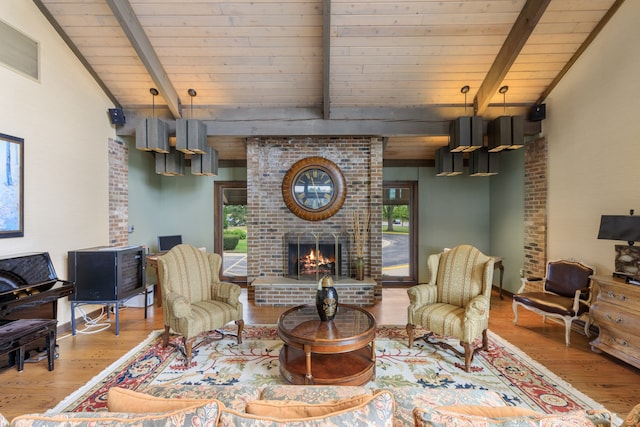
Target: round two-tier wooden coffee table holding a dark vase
[{"x": 337, "y": 352}]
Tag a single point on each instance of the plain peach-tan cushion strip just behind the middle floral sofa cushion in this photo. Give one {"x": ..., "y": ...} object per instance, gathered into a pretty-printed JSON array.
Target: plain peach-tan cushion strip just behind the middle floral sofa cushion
[{"x": 289, "y": 409}]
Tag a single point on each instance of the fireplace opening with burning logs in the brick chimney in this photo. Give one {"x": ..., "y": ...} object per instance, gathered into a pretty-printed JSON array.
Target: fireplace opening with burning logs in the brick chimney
[{"x": 312, "y": 256}]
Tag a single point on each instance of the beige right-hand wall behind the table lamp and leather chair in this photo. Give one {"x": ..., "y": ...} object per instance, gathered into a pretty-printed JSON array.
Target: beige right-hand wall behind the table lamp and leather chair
[{"x": 594, "y": 143}]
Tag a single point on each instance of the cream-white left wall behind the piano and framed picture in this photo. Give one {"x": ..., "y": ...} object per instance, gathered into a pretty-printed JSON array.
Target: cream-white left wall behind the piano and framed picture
[{"x": 65, "y": 125}]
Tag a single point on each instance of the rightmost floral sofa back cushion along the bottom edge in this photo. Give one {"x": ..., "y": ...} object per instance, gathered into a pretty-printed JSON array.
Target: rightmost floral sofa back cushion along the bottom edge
[{"x": 436, "y": 417}]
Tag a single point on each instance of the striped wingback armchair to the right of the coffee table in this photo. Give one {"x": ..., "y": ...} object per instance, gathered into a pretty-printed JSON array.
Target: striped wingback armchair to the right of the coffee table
[{"x": 455, "y": 302}]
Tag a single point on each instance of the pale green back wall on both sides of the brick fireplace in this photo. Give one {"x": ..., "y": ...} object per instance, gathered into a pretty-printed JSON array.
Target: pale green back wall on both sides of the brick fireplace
[{"x": 486, "y": 212}]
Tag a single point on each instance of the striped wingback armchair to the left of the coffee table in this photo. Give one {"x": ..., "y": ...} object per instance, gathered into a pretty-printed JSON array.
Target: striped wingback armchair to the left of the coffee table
[{"x": 194, "y": 300}]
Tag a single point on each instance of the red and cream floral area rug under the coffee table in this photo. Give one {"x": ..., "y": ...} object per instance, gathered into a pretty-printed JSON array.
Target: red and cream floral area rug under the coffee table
[{"x": 503, "y": 368}]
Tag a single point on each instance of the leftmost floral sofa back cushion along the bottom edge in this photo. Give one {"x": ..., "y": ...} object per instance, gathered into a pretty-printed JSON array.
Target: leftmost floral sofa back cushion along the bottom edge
[{"x": 203, "y": 414}]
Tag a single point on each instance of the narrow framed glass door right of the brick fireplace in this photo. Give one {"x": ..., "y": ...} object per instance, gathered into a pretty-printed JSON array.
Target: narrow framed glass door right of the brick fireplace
[{"x": 399, "y": 231}]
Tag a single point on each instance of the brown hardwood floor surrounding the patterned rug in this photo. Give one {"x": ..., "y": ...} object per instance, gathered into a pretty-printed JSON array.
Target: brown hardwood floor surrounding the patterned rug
[{"x": 605, "y": 379}]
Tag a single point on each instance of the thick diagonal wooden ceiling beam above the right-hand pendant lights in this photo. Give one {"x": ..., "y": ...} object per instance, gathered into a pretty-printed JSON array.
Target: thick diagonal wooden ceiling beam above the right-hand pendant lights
[{"x": 526, "y": 22}]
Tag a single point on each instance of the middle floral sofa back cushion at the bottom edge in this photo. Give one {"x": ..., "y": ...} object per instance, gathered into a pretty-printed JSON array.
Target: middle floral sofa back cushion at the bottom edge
[{"x": 376, "y": 411}]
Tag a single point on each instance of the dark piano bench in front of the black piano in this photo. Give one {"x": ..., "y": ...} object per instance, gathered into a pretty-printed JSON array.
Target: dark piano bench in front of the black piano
[{"x": 17, "y": 334}]
